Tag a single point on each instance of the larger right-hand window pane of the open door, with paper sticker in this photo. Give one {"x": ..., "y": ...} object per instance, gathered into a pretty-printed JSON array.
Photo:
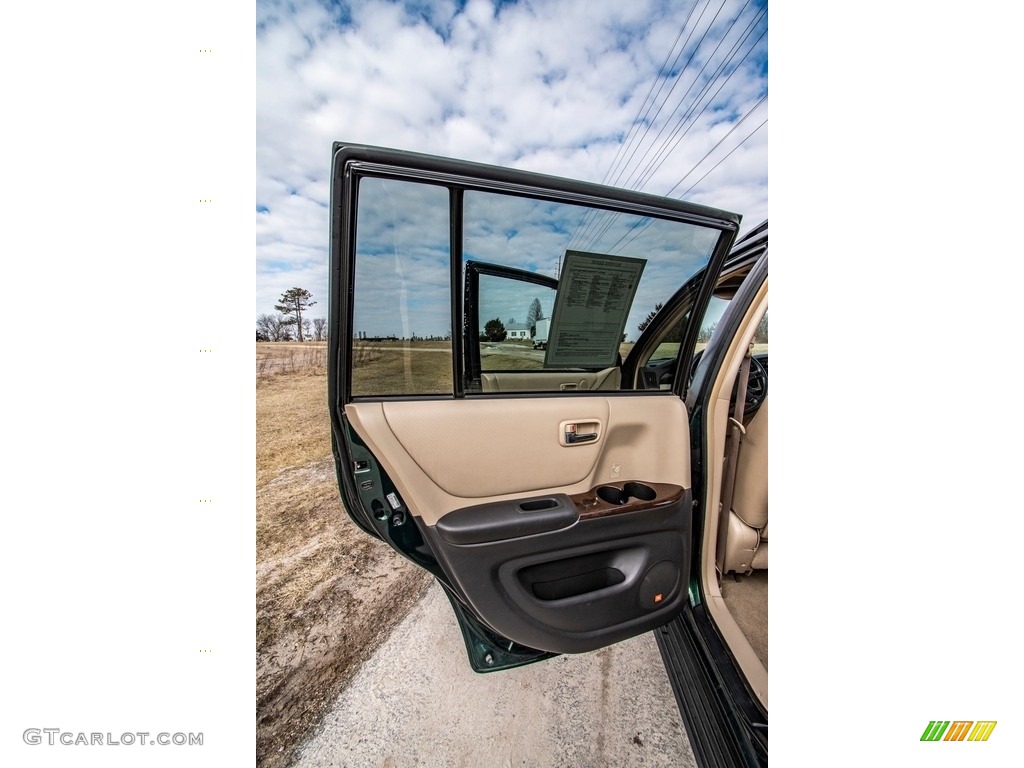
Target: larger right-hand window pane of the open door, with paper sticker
[{"x": 613, "y": 270}]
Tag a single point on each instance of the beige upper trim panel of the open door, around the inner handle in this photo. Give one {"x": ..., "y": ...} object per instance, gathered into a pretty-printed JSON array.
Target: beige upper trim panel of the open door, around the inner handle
[{"x": 446, "y": 455}]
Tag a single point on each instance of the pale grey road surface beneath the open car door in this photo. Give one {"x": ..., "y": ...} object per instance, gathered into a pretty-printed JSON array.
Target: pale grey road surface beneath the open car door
[{"x": 416, "y": 702}]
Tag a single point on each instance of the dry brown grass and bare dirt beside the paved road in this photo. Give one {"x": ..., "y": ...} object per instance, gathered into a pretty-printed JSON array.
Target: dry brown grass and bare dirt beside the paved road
[{"x": 327, "y": 594}]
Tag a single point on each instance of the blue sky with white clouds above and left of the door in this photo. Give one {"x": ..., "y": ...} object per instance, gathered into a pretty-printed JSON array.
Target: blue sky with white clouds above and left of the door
[{"x": 669, "y": 97}]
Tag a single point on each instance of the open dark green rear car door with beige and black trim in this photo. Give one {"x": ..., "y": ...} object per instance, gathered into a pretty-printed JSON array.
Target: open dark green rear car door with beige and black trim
[{"x": 544, "y": 483}]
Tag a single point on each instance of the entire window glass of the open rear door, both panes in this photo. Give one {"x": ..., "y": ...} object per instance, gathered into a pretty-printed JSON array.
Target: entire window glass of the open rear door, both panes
[{"x": 554, "y": 294}]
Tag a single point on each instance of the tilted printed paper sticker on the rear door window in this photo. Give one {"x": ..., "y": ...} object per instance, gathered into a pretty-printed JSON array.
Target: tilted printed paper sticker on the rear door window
[{"x": 595, "y": 293}]
